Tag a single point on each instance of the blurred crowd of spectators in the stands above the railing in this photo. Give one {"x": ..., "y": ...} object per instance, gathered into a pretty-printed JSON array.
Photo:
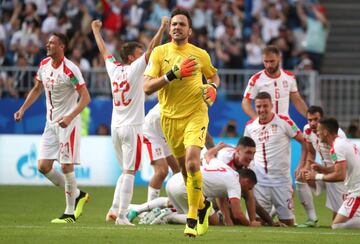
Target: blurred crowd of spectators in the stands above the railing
[{"x": 232, "y": 31}]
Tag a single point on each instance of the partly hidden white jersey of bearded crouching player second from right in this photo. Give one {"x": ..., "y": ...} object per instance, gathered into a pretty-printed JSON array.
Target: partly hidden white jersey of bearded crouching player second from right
[{"x": 322, "y": 148}]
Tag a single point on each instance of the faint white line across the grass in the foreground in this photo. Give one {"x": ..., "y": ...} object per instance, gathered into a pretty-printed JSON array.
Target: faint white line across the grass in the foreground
[{"x": 148, "y": 228}]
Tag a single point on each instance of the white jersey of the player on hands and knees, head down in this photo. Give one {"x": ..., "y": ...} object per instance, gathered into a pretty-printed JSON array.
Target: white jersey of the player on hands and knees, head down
[{"x": 219, "y": 180}]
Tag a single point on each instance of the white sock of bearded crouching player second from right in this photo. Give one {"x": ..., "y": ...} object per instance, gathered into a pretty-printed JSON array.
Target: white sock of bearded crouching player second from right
[{"x": 306, "y": 199}]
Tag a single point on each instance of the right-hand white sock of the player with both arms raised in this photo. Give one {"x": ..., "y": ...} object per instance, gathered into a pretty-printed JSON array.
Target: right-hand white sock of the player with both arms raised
[{"x": 126, "y": 192}]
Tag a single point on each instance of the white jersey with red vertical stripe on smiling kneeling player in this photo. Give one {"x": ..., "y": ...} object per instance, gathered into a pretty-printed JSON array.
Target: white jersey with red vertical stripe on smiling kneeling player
[{"x": 273, "y": 150}]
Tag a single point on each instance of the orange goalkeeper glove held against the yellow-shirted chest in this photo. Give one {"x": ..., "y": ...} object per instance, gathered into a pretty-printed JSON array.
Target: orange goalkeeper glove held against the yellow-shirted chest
[{"x": 186, "y": 68}]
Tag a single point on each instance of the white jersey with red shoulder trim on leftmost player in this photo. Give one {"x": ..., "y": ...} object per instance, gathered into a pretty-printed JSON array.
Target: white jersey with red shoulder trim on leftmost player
[{"x": 60, "y": 86}]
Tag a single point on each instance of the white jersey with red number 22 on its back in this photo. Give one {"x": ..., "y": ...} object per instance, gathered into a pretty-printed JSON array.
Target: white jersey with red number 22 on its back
[{"x": 127, "y": 90}]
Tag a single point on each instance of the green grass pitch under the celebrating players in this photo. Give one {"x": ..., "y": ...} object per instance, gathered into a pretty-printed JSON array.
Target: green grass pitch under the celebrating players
[{"x": 26, "y": 212}]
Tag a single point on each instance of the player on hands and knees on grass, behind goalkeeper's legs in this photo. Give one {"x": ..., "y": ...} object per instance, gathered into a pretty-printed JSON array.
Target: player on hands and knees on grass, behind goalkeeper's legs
[{"x": 220, "y": 182}]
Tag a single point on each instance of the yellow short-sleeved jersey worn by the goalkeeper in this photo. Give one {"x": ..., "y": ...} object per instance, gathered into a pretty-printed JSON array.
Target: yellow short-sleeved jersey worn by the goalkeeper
[{"x": 180, "y": 97}]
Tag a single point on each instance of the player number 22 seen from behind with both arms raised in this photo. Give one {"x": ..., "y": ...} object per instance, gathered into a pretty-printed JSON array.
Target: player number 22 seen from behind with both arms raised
[{"x": 128, "y": 113}]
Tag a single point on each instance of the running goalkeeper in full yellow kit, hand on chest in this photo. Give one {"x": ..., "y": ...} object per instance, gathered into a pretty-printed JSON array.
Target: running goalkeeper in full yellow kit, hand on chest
[{"x": 176, "y": 69}]
